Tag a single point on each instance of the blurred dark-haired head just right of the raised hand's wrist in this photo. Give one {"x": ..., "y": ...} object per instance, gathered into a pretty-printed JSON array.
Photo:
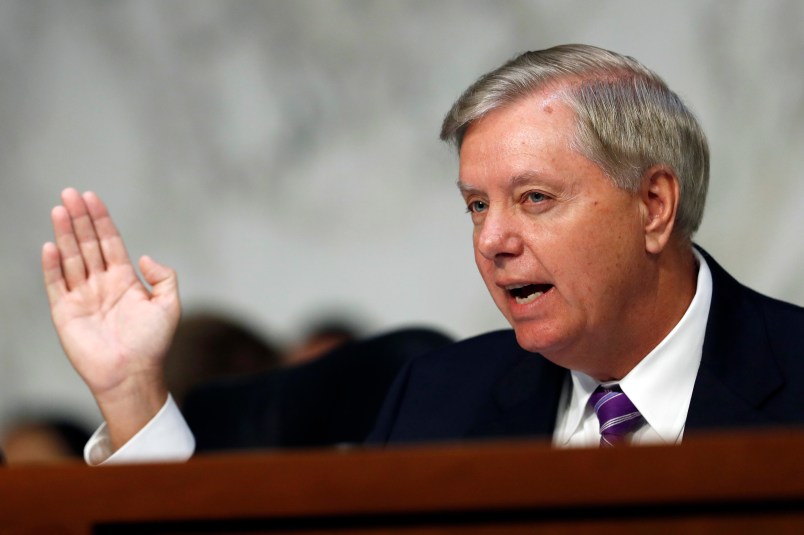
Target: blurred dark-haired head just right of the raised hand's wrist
[{"x": 210, "y": 346}]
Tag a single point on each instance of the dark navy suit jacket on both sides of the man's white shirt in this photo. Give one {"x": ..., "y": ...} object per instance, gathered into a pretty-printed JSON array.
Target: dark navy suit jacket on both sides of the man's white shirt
[{"x": 751, "y": 375}]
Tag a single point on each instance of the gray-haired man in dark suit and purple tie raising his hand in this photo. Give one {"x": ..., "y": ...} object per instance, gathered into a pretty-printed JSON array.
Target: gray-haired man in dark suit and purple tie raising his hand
[{"x": 585, "y": 179}]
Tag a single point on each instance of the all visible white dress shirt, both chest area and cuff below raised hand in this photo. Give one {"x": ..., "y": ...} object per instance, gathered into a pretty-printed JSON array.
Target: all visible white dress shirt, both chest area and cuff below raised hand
[{"x": 660, "y": 387}]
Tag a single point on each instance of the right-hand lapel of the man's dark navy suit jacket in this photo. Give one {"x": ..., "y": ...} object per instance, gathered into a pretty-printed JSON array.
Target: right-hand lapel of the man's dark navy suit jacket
[{"x": 737, "y": 372}]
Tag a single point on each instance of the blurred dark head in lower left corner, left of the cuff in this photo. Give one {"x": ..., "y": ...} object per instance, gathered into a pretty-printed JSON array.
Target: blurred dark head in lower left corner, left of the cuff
[{"x": 44, "y": 440}]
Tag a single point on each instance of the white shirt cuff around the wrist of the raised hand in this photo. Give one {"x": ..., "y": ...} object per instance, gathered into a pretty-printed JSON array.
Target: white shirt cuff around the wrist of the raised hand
[{"x": 166, "y": 438}]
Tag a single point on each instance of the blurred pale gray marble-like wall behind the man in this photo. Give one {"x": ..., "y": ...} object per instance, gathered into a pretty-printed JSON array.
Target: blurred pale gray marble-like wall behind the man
[{"x": 283, "y": 155}]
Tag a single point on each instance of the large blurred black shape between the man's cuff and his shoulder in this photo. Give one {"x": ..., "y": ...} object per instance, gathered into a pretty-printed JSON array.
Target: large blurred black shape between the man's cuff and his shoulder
[{"x": 331, "y": 400}]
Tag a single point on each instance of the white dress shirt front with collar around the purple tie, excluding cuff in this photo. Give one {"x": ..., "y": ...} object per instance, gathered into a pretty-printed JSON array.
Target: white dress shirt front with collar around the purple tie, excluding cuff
[{"x": 660, "y": 386}]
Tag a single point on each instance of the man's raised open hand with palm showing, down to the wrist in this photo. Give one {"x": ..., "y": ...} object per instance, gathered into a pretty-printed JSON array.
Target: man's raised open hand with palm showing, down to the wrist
[{"x": 114, "y": 330}]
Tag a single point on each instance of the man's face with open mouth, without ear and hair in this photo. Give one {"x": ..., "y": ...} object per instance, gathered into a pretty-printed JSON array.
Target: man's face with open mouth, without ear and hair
[{"x": 560, "y": 248}]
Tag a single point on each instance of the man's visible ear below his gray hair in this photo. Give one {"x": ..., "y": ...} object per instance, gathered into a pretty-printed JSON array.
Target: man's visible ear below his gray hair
[{"x": 659, "y": 196}]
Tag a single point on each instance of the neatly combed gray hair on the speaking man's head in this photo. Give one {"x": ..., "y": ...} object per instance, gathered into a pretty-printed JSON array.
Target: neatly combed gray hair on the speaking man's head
[{"x": 627, "y": 118}]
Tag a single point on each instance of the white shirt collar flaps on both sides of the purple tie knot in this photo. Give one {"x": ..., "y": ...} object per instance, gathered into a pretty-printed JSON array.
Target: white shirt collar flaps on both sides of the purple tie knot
[{"x": 660, "y": 386}]
